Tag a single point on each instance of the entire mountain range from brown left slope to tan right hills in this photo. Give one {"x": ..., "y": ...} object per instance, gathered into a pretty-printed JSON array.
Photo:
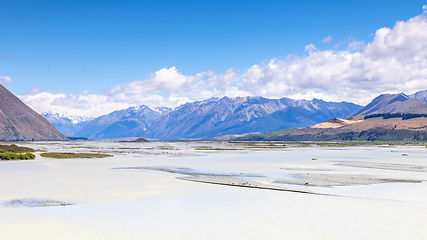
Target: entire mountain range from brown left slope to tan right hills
[{"x": 388, "y": 116}]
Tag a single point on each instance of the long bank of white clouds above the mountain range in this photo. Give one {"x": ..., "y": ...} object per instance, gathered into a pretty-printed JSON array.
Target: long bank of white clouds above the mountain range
[{"x": 395, "y": 61}]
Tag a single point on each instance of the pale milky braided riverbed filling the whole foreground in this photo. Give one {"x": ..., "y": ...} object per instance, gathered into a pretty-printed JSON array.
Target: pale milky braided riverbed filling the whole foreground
[{"x": 143, "y": 192}]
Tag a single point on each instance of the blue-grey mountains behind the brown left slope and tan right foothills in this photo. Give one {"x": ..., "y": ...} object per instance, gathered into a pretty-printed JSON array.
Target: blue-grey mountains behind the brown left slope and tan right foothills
[{"x": 224, "y": 118}]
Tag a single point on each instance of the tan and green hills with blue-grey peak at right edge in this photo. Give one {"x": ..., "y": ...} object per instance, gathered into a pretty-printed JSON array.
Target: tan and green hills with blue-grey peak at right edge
[{"x": 389, "y": 117}]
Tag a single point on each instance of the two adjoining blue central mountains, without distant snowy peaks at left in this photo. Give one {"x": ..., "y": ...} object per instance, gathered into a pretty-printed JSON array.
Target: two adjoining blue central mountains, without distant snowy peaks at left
[{"x": 214, "y": 117}]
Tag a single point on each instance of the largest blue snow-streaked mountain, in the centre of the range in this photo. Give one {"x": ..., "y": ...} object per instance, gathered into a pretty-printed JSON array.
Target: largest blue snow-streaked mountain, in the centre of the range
[{"x": 216, "y": 117}]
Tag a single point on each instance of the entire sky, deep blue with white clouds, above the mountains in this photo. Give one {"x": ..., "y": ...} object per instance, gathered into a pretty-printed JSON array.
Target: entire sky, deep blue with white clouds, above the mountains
[{"x": 89, "y": 58}]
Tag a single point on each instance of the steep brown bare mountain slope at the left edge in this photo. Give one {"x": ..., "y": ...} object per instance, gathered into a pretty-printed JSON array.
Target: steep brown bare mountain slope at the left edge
[{"x": 20, "y": 122}]
